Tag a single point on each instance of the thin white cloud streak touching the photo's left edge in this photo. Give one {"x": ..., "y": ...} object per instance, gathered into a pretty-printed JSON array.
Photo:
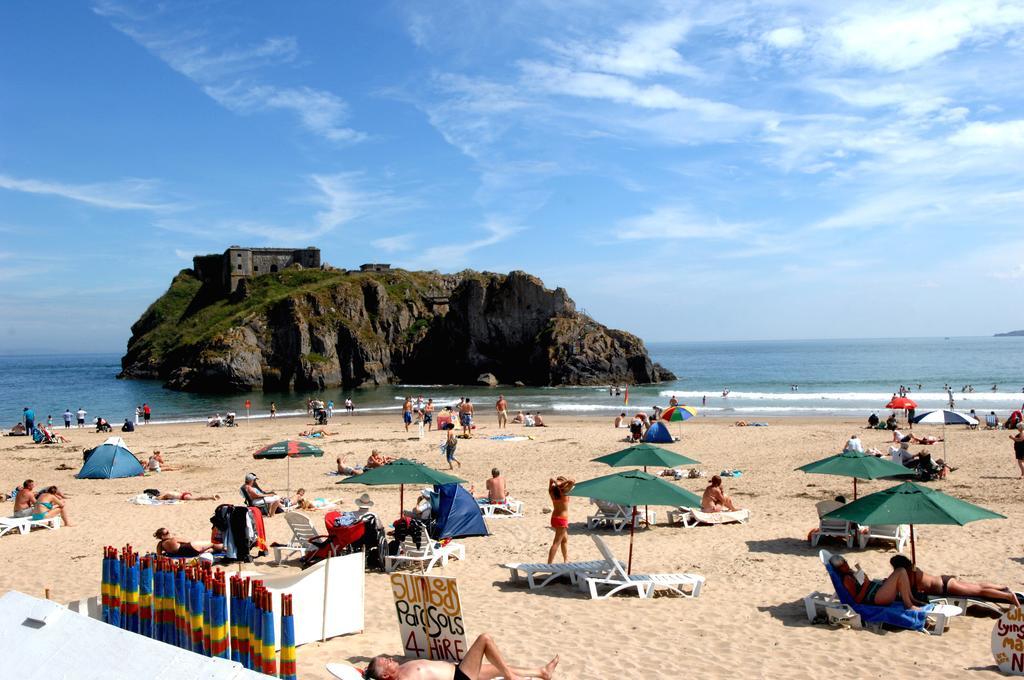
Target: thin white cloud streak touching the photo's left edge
[{"x": 123, "y": 195}]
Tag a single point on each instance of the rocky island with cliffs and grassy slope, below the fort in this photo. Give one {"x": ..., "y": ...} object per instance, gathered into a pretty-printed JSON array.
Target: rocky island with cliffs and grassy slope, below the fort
[{"x": 316, "y": 329}]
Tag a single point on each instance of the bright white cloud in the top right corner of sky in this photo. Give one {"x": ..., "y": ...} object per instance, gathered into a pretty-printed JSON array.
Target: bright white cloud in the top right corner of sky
[{"x": 895, "y": 37}]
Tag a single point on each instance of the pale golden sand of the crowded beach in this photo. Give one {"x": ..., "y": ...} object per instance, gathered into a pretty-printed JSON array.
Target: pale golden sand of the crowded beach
[{"x": 748, "y": 623}]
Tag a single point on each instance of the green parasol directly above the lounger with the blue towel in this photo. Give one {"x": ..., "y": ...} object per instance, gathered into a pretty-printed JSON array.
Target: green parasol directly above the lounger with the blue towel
[{"x": 912, "y": 504}]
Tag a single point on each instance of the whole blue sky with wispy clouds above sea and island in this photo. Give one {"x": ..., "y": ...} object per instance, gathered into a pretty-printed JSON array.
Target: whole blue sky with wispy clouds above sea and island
[{"x": 722, "y": 171}]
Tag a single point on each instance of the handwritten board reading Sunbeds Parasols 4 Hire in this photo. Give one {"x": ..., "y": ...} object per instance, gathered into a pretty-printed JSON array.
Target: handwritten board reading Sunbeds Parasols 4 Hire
[{"x": 430, "y": 617}]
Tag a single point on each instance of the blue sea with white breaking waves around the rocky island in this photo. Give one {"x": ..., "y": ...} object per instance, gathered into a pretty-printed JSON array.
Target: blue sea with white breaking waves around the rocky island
[{"x": 763, "y": 378}]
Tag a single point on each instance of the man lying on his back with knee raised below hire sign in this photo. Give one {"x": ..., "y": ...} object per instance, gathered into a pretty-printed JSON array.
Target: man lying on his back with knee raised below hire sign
[{"x": 472, "y": 667}]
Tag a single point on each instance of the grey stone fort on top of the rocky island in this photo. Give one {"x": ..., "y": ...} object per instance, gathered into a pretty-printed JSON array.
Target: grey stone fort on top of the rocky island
[{"x": 225, "y": 272}]
